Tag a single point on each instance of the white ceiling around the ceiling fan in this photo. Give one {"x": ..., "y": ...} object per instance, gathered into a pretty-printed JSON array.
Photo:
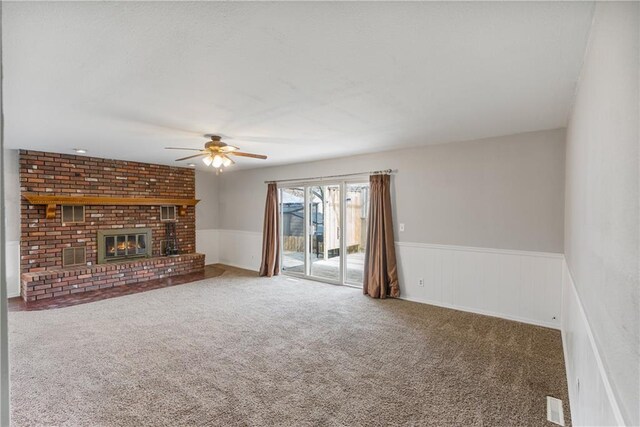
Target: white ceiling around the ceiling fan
[{"x": 295, "y": 81}]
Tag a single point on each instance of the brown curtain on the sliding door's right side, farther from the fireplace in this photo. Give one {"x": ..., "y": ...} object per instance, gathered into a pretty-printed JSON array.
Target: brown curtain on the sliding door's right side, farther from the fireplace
[{"x": 380, "y": 266}]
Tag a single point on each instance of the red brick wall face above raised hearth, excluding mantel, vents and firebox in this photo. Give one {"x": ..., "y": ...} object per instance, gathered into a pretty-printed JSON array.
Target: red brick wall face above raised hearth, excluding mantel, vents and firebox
[{"x": 42, "y": 240}]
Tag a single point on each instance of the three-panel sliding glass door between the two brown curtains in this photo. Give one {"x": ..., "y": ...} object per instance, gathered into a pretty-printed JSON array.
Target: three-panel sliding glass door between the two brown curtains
[{"x": 323, "y": 230}]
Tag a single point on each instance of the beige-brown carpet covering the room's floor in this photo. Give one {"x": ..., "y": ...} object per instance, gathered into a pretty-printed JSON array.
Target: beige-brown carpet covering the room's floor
[{"x": 239, "y": 350}]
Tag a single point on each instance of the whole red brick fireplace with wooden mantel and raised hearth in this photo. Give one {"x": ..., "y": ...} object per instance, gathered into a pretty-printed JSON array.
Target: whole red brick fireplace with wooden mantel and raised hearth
[{"x": 86, "y": 199}]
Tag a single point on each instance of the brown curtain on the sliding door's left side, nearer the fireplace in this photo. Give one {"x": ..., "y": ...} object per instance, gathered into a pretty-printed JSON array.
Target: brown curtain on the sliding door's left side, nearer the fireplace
[{"x": 271, "y": 234}]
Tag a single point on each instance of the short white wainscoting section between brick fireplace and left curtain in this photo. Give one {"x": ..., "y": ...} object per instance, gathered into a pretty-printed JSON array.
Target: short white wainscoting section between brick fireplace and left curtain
[{"x": 241, "y": 249}]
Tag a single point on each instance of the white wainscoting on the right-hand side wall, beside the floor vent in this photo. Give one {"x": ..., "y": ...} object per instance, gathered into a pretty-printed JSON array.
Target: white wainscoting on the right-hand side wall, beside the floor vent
[{"x": 590, "y": 395}]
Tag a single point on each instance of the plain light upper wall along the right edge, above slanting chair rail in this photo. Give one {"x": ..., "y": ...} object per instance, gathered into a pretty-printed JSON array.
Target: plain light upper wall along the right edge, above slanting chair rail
[{"x": 602, "y": 218}]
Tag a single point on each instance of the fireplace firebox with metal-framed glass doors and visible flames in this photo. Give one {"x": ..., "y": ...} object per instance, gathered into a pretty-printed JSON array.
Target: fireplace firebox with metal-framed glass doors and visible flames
[{"x": 117, "y": 245}]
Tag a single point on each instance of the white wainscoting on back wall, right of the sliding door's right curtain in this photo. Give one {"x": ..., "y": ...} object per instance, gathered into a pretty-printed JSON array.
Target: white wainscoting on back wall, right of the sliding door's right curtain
[{"x": 516, "y": 285}]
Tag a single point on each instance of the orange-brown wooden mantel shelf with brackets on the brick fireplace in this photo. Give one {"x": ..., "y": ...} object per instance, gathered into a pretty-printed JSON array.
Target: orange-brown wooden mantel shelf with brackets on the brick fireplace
[{"x": 53, "y": 200}]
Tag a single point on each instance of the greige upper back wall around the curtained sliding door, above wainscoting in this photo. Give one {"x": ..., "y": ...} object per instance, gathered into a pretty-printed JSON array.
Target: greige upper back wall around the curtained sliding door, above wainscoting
[{"x": 505, "y": 193}]
